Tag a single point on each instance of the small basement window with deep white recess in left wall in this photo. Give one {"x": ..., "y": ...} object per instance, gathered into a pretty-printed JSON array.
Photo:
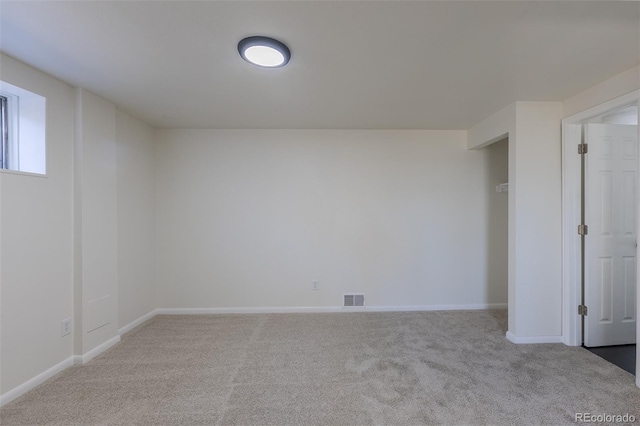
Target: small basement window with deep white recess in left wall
[{"x": 22, "y": 130}]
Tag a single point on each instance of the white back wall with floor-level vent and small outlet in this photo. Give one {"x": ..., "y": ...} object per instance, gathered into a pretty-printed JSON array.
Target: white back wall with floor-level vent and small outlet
[{"x": 250, "y": 218}]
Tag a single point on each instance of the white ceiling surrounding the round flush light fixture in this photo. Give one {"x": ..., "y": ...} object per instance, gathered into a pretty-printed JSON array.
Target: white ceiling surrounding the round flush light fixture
[{"x": 359, "y": 64}]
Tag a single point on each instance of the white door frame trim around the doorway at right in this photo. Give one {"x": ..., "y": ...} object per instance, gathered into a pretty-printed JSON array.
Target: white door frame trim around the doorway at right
[{"x": 571, "y": 212}]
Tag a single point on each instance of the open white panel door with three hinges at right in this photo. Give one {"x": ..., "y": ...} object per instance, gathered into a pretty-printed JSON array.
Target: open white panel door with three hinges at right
[{"x": 611, "y": 167}]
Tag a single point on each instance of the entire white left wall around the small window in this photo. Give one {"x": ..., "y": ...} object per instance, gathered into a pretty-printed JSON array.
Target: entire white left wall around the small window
[{"x": 59, "y": 248}]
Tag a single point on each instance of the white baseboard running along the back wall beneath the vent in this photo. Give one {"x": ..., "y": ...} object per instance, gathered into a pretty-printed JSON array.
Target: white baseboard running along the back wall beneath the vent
[{"x": 281, "y": 310}]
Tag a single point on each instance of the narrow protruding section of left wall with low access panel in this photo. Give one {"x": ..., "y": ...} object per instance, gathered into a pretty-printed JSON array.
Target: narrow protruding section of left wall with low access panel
[{"x": 96, "y": 139}]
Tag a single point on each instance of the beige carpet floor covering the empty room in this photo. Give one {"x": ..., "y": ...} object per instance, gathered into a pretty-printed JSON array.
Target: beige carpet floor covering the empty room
[{"x": 329, "y": 369}]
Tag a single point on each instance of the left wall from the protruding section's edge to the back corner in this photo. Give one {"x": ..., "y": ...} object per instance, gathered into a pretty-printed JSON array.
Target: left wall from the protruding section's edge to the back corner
[{"x": 115, "y": 213}]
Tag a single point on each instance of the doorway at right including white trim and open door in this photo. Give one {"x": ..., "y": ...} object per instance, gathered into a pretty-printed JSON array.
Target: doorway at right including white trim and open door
[{"x": 622, "y": 111}]
